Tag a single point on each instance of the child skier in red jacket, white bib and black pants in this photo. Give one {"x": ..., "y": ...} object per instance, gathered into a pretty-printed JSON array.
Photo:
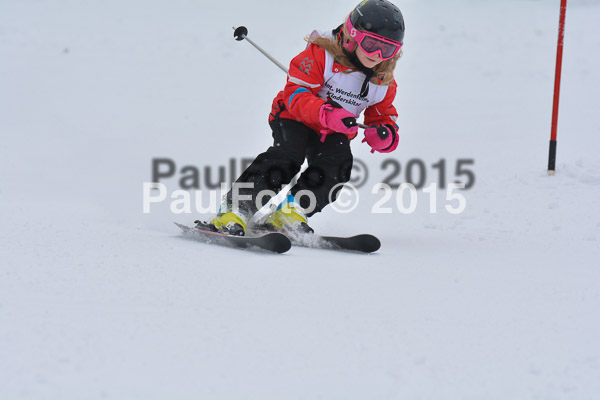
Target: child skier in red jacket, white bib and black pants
[{"x": 339, "y": 75}]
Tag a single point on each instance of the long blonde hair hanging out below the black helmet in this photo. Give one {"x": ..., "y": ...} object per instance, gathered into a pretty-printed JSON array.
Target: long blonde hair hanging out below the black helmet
[{"x": 384, "y": 71}]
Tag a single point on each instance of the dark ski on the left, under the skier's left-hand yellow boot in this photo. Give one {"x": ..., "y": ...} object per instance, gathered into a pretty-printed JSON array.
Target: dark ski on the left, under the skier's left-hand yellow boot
[{"x": 271, "y": 241}]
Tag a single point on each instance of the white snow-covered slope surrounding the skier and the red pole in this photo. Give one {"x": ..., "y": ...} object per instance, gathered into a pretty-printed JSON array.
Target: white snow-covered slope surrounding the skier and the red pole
[{"x": 101, "y": 301}]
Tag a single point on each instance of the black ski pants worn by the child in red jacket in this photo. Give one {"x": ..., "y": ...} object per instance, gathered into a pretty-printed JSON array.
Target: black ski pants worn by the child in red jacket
[{"x": 329, "y": 164}]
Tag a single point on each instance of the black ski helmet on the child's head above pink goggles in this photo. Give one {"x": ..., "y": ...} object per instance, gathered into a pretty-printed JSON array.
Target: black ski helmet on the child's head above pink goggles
[{"x": 379, "y": 17}]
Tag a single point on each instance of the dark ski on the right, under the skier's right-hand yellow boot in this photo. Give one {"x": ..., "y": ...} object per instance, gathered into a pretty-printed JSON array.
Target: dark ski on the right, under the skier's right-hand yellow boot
[{"x": 364, "y": 243}]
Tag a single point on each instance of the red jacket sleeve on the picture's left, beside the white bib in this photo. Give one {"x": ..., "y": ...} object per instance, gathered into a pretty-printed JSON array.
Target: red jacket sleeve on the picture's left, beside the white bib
[{"x": 304, "y": 81}]
